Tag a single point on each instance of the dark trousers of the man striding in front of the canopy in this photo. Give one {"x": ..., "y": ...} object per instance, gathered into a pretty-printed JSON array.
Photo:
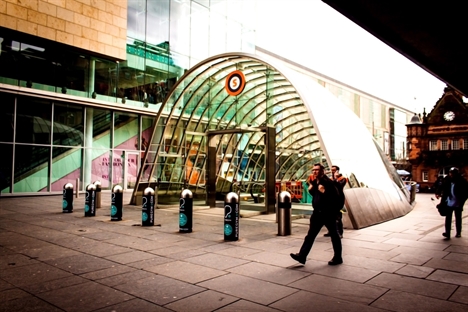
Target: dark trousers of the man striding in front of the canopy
[{"x": 317, "y": 221}]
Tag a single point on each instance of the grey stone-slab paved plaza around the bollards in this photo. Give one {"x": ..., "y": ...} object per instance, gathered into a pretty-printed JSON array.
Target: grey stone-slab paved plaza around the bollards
[{"x": 53, "y": 261}]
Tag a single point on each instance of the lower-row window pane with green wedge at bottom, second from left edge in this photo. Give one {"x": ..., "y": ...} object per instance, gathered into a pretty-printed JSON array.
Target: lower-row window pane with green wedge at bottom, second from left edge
[{"x": 31, "y": 168}]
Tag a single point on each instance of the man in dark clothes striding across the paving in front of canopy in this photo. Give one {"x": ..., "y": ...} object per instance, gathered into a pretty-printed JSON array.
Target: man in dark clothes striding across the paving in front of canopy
[{"x": 325, "y": 201}]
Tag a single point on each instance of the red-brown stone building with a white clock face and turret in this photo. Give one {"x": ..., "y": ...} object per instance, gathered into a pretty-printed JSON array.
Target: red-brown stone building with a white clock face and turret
[{"x": 439, "y": 140}]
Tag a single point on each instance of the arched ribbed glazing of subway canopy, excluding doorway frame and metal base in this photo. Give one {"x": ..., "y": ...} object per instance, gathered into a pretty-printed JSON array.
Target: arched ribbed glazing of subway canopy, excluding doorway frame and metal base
[{"x": 312, "y": 126}]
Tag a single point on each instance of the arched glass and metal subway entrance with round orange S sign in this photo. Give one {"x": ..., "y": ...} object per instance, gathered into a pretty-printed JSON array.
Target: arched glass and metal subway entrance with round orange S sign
[{"x": 236, "y": 121}]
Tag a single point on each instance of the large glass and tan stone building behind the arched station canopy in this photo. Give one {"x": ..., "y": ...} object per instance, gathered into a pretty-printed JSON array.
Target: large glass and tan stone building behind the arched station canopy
[{"x": 80, "y": 85}]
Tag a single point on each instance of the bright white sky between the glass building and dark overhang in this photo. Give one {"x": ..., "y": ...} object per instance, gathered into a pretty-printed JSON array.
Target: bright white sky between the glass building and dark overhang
[{"x": 313, "y": 34}]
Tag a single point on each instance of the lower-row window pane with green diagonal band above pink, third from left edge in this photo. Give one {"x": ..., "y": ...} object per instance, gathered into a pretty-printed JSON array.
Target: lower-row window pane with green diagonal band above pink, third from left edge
[{"x": 66, "y": 167}]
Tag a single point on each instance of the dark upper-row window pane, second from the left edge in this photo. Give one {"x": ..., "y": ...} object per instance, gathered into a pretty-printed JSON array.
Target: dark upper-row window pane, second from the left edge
[{"x": 33, "y": 121}]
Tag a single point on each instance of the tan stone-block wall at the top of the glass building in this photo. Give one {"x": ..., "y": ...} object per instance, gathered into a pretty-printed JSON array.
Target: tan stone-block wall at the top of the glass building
[{"x": 95, "y": 25}]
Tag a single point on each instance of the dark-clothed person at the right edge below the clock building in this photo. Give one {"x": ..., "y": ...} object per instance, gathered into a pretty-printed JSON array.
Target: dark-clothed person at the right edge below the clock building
[{"x": 454, "y": 192}]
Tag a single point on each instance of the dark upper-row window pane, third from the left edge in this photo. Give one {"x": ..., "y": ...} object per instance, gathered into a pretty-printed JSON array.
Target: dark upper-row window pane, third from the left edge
[{"x": 68, "y": 125}]
